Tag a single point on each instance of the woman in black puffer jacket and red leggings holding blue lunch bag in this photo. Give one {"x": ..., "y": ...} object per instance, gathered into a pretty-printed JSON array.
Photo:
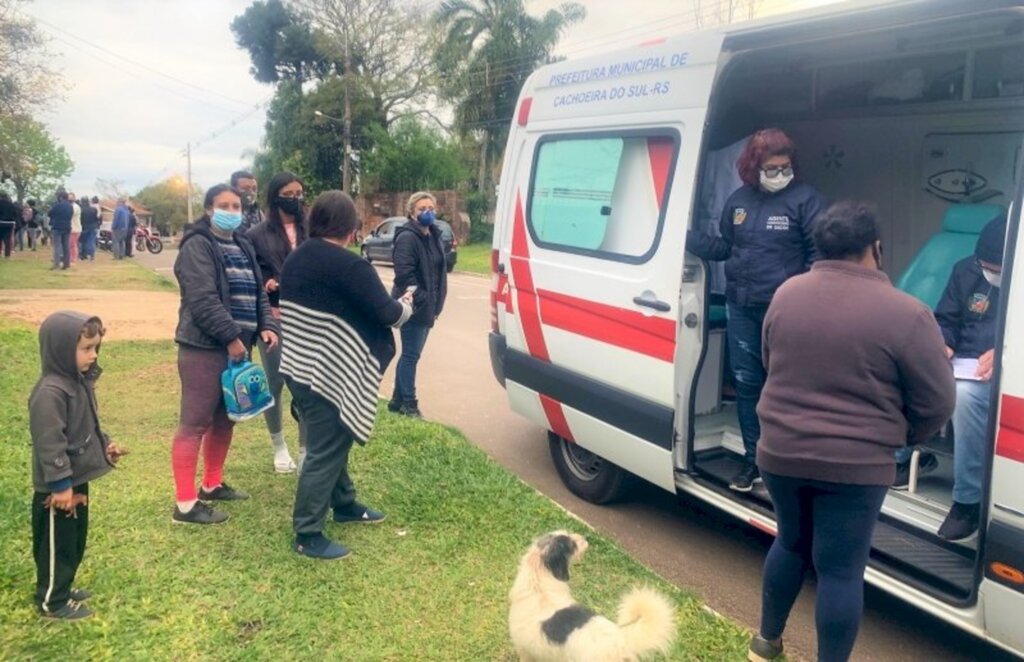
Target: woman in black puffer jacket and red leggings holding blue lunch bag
[{"x": 224, "y": 310}]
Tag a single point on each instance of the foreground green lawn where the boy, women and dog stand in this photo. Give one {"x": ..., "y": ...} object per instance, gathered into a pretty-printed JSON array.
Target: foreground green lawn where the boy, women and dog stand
[{"x": 431, "y": 584}]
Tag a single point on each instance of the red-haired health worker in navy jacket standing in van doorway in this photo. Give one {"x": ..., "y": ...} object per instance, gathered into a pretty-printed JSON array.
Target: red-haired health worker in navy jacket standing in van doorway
[{"x": 765, "y": 240}]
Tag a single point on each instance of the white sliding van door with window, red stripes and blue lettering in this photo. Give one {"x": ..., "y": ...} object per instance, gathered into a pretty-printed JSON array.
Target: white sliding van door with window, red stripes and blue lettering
[{"x": 603, "y": 199}]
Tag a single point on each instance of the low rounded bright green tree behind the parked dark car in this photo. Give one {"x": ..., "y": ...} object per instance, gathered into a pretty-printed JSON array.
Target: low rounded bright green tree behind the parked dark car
[{"x": 411, "y": 157}]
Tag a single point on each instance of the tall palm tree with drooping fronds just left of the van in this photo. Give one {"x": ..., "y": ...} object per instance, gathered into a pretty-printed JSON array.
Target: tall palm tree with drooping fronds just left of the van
[{"x": 489, "y": 50}]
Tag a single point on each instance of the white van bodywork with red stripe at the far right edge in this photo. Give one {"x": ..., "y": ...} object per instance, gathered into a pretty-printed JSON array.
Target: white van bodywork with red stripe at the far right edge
[{"x": 1003, "y": 583}]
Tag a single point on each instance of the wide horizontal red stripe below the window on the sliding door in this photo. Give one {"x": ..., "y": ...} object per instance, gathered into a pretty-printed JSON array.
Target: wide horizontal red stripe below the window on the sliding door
[{"x": 628, "y": 329}]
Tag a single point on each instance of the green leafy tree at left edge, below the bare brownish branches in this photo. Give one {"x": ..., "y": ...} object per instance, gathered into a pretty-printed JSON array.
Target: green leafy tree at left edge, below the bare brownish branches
[{"x": 31, "y": 159}]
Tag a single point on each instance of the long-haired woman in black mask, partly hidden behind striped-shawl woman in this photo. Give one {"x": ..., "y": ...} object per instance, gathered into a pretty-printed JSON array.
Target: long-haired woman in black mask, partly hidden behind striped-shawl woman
[{"x": 274, "y": 240}]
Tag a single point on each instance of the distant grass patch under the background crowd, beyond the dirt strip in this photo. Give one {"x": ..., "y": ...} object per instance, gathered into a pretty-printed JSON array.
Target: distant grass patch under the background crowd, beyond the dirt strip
[{"x": 28, "y": 271}]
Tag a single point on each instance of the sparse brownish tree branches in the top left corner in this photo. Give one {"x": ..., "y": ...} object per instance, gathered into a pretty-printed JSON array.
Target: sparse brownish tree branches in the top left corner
[{"x": 26, "y": 82}]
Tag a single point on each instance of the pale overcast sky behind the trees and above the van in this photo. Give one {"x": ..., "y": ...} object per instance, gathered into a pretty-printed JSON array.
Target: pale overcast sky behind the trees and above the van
[{"x": 143, "y": 78}]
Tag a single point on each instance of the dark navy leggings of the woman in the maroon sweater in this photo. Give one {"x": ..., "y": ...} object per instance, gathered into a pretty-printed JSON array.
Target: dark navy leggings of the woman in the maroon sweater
[{"x": 827, "y": 526}]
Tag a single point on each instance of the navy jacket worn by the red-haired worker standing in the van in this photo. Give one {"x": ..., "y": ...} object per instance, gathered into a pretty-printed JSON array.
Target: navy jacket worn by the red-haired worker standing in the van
[{"x": 766, "y": 240}]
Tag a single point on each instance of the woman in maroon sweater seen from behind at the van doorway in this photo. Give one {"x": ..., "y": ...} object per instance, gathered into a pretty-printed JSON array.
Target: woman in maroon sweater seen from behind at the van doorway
[{"x": 847, "y": 386}]
